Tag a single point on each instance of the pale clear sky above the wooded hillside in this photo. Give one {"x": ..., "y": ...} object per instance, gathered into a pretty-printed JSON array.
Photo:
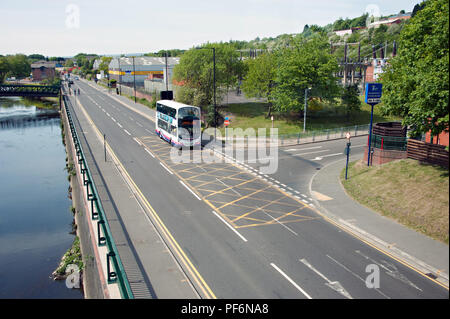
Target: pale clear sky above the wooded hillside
[{"x": 67, "y": 27}]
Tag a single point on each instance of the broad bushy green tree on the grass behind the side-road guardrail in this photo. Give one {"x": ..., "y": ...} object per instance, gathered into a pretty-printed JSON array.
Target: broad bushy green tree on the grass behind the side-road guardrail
[{"x": 304, "y": 64}]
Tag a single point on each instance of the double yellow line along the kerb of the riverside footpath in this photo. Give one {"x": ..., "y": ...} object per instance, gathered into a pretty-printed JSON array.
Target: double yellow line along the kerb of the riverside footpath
[{"x": 170, "y": 240}]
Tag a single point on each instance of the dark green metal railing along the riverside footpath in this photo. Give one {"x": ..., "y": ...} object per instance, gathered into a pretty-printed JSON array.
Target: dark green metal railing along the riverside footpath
[{"x": 115, "y": 274}]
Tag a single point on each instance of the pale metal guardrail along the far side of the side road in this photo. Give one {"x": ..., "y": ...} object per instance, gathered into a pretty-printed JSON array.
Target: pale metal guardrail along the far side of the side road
[{"x": 323, "y": 135}]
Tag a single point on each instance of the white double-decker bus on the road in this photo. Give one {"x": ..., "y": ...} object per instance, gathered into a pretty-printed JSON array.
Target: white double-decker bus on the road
[{"x": 178, "y": 123}]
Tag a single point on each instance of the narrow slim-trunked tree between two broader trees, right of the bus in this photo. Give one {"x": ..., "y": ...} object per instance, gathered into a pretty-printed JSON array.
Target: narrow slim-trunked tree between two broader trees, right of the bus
[{"x": 259, "y": 80}]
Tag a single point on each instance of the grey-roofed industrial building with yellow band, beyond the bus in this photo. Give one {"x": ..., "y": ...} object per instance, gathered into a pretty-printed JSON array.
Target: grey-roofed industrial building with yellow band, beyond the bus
[{"x": 126, "y": 70}]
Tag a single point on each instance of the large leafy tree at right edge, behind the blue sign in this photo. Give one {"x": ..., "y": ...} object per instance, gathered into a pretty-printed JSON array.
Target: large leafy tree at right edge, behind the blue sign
[{"x": 415, "y": 85}]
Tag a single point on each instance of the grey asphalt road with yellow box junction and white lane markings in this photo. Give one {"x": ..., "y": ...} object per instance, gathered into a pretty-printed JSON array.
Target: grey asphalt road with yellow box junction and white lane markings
[{"x": 245, "y": 235}]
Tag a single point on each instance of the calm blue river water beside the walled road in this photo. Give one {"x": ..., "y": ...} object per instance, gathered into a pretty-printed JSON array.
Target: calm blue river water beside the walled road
[{"x": 35, "y": 217}]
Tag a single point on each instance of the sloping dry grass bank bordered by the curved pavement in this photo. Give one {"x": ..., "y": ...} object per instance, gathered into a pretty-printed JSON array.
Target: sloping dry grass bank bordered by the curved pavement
[{"x": 414, "y": 194}]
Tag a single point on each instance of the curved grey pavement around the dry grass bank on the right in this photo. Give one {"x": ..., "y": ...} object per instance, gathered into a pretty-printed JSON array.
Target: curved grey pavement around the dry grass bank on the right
[{"x": 404, "y": 244}]
